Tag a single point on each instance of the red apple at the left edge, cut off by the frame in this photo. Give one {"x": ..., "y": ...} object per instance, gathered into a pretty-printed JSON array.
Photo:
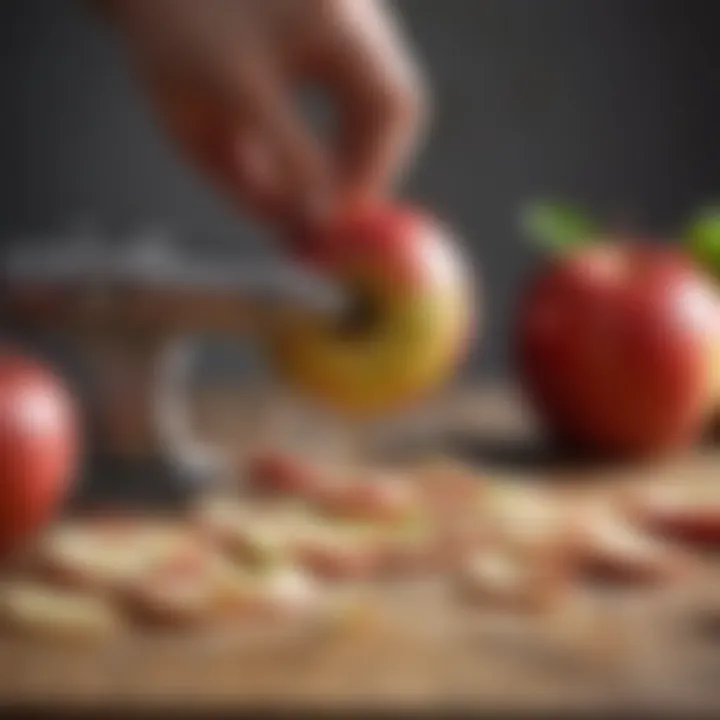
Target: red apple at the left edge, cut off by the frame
[{"x": 39, "y": 447}]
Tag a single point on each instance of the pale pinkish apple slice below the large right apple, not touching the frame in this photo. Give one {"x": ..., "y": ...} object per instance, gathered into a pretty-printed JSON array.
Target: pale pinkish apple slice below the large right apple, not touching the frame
[{"x": 608, "y": 546}]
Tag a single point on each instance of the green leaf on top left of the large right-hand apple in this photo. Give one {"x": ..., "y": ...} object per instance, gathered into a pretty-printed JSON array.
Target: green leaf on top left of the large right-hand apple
[{"x": 557, "y": 226}]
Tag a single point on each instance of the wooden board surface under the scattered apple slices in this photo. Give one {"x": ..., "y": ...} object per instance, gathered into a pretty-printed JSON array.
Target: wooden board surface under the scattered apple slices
[{"x": 416, "y": 650}]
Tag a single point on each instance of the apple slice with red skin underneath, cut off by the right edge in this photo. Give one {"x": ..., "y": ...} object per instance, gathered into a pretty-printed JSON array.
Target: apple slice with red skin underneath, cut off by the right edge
[{"x": 685, "y": 510}]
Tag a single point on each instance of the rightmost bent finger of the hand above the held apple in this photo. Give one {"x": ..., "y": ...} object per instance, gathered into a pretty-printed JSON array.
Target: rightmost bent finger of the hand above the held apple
[{"x": 384, "y": 107}]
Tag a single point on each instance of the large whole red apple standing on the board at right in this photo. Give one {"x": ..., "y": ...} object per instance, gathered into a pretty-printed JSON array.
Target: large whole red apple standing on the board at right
[{"x": 618, "y": 348}]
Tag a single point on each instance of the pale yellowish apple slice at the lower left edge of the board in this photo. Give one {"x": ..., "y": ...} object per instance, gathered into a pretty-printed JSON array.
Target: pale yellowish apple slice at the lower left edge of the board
[{"x": 31, "y": 608}]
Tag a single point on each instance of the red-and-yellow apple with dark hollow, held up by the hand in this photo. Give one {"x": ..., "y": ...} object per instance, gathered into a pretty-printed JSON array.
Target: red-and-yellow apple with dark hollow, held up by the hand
[{"x": 409, "y": 270}]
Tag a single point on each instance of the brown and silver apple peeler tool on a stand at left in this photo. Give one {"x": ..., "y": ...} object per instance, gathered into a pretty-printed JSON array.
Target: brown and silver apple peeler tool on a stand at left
[{"x": 135, "y": 318}]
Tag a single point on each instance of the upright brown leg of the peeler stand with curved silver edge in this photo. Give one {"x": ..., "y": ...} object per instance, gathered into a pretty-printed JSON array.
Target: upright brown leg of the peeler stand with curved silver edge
[{"x": 146, "y": 448}]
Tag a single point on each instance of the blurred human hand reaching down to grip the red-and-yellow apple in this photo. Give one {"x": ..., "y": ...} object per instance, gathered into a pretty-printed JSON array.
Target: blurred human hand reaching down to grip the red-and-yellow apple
[{"x": 222, "y": 77}]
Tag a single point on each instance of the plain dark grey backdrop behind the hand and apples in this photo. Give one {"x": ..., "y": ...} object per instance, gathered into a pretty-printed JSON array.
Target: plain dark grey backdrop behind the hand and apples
[{"x": 611, "y": 102}]
